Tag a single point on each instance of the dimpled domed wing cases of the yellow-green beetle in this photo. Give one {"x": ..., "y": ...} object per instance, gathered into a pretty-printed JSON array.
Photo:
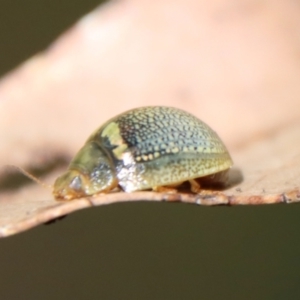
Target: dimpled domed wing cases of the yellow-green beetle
[{"x": 160, "y": 146}]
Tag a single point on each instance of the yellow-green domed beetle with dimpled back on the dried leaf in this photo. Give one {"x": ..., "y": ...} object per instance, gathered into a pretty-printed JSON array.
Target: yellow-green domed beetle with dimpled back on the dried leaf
[{"x": 144, "y": 148}]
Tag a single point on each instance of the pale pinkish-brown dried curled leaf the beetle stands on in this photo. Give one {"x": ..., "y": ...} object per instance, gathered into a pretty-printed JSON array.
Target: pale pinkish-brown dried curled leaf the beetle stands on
[{"x": 235, "y": 65}]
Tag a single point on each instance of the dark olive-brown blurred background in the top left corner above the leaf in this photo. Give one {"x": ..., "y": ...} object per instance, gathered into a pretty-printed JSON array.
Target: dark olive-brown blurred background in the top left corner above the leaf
[{"x": 29, "y": 27}]
